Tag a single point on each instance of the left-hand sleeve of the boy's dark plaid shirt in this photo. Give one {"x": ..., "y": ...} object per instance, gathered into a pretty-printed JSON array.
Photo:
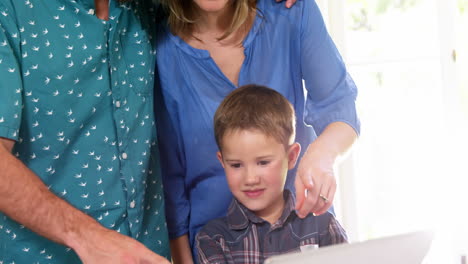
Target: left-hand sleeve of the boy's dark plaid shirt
[{"x": 209, "y": 250}]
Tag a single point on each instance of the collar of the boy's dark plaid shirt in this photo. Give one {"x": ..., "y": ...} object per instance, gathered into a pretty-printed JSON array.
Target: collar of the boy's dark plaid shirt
[{"x": 239, "y": 217}]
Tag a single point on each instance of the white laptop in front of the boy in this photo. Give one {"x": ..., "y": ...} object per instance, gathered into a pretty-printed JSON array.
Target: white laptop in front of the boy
[{"x": 410, "y": 248}]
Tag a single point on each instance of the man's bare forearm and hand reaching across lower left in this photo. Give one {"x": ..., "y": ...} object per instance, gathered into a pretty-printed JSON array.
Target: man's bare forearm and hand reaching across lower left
[{"x": 25, "y": 198}]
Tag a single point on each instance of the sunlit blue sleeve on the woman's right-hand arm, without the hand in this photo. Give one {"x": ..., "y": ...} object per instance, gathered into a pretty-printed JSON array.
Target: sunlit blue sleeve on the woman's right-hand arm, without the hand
[{"x": 331, "y": 93}]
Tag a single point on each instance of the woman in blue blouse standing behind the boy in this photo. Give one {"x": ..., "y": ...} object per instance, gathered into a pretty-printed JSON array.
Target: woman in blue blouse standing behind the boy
[{"x": 210, "y": 48}]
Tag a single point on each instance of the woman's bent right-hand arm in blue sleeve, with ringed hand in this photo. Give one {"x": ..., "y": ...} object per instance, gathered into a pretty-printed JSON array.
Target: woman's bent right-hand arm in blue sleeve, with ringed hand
[{"x": 330, "y": 109}]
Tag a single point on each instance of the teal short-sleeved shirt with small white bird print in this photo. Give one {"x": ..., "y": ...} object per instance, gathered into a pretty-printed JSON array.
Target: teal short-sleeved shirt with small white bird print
[{"x": 76, "y": 94}]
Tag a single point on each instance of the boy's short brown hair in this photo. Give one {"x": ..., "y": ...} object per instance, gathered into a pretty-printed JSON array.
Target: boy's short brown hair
[{"x": 256, "y": 107}]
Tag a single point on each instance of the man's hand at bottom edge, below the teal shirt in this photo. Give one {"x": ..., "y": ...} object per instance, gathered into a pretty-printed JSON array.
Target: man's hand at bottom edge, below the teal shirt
[{"x": 107, "y": 246}]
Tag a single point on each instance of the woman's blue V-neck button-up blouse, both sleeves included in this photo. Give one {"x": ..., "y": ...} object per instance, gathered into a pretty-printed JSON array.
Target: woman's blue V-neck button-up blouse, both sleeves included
[{"x": 283, "y": 48}]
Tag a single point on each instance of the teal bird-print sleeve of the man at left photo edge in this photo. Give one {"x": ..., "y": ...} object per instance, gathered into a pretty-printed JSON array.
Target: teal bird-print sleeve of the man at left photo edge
[{"x": 11, "y": 87}]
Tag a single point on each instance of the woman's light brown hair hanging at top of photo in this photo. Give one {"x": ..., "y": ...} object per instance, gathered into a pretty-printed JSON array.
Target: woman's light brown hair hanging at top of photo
[{"x": 183, "y": 16}]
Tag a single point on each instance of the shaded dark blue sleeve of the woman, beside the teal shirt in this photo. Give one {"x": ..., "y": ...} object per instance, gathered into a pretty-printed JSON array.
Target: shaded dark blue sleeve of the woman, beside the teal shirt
[{"x": 172, "y": 163}]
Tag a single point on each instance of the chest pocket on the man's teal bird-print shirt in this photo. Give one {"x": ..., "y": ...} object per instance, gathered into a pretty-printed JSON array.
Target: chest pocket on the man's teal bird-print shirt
[{"x": 140, "y": 59}]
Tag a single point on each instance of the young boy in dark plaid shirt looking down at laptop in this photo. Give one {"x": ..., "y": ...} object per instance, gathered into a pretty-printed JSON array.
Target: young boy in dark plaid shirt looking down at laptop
[{"x": 255, "y": 131}]
